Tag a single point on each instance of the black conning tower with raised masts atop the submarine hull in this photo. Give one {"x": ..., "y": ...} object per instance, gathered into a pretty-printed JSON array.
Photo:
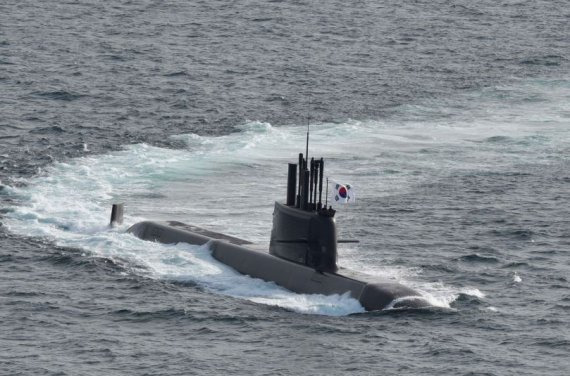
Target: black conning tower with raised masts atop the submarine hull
[{"x": 304, "y": 231}]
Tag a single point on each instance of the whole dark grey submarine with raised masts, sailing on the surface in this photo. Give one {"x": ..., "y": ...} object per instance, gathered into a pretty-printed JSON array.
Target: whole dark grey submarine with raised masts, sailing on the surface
[{"x": 302, "y": 255}]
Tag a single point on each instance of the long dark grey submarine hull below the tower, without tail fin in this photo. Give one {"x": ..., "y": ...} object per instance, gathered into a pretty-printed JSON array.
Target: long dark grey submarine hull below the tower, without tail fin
[{"x": 248, "y": 259}]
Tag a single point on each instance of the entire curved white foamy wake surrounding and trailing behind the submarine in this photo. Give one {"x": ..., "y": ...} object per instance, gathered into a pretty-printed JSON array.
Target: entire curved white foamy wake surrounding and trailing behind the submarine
[{"x": 229, "y": 183}]
